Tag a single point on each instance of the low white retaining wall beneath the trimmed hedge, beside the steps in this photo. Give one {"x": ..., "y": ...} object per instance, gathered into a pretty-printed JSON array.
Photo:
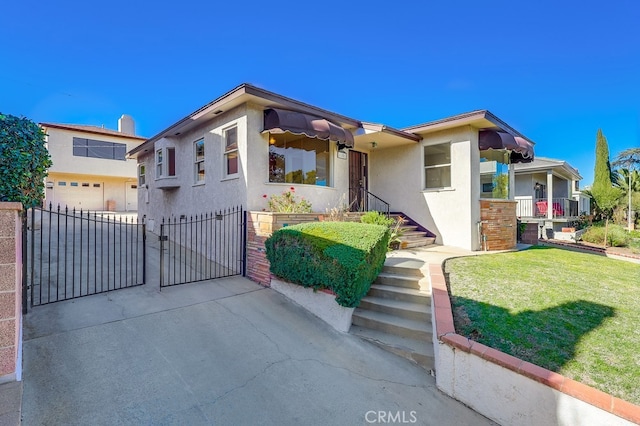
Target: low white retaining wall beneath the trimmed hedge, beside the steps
[{"x": 321, "y": 304}]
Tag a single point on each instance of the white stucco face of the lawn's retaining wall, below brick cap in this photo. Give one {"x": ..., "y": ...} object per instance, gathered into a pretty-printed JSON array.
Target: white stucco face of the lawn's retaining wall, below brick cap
[{"x": 510, "y": 398}]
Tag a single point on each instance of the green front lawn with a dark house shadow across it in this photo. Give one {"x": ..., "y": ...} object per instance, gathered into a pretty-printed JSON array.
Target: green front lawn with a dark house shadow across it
[{"x": 573, "y": 313}]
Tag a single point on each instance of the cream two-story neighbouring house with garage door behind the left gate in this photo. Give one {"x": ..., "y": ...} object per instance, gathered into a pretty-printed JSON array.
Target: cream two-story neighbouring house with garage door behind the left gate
[{"x": 90, "y": 170}]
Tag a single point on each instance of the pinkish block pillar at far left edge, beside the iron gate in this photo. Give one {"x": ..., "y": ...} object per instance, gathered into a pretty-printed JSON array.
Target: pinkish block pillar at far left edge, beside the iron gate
[{"x": 10, "y": 289}]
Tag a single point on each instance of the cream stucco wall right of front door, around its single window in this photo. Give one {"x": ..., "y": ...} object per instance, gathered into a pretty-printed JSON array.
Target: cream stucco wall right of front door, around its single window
[{"x": 397, "y": 176}]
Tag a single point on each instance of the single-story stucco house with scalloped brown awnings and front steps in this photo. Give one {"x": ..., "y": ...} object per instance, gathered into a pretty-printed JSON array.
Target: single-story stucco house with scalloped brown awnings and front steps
[{"x": 250, "y": 142}]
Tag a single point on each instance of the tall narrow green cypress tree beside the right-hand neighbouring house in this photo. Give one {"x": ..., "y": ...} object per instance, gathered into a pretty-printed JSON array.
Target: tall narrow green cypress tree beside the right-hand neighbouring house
[{"x": 605, "y": 195}]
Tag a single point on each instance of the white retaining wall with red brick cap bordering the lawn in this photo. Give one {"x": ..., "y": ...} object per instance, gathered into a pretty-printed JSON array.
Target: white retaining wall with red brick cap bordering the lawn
[{"x": 508, "y": 390}]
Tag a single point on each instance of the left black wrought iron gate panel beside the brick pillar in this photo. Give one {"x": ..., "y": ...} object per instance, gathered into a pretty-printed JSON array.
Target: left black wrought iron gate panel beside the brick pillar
[{"x": 72, "y": 254}]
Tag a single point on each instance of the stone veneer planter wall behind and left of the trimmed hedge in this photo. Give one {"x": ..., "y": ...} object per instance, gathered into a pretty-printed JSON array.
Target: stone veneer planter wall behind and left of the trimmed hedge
[{"x": 261, "y": 225}]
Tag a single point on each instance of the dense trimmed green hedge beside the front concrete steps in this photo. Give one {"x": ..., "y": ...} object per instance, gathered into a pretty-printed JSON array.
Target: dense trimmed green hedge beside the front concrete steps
[{"x": 345, "y": 257}]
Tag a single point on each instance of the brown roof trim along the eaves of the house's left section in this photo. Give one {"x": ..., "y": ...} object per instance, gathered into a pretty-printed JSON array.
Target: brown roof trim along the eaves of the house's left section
[{"x": 246, "y": 88}]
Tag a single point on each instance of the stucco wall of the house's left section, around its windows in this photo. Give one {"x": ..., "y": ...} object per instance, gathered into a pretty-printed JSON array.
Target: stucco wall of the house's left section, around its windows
[{"x": 247, "y": 189}]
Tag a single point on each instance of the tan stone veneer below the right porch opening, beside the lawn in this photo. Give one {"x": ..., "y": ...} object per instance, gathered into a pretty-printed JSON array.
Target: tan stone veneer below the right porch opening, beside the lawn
[{"x": 499, "y": 224}]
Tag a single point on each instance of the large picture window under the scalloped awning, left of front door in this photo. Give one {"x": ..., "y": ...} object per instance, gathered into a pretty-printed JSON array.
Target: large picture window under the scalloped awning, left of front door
[{"x": 299, "y": 159}]
